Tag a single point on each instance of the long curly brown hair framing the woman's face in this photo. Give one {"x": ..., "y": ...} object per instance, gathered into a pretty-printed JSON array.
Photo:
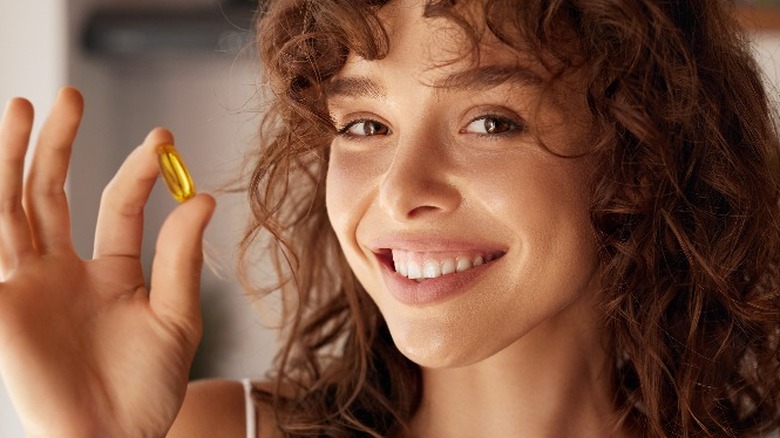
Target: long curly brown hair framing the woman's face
[{"x": 685, "y": 206}]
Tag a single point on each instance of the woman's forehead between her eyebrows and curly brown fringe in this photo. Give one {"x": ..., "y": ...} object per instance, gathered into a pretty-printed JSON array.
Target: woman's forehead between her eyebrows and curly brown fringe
[{"x": 442, "y": 52}]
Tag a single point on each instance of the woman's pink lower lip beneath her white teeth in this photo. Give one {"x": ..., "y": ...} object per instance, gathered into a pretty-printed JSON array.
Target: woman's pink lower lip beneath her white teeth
[{"x": 431, "y": 290}]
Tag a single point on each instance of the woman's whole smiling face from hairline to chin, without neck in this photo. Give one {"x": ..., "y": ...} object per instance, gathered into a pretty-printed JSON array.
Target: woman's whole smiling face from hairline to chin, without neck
[{"x": 463, "y": 227}]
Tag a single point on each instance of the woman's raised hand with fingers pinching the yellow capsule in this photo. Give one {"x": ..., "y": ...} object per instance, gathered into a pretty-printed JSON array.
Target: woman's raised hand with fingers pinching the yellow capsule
[{"x": 86, "y": 348}]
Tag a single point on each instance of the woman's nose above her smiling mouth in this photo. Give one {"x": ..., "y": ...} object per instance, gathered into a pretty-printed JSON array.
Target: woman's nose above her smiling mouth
[{"x": 420, "y": 181}]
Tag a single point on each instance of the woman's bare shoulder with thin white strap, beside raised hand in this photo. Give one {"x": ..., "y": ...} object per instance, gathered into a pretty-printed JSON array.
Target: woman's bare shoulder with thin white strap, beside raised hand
[{"x": 216, "y": 407}]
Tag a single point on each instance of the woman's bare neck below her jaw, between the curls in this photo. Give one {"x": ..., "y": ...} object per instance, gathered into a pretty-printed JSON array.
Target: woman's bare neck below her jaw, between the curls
[{"x": 553, "y": 382}]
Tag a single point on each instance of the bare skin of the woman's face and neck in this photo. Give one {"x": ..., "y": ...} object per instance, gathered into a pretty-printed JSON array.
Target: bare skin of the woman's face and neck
[{"x": 513, "y": 351}]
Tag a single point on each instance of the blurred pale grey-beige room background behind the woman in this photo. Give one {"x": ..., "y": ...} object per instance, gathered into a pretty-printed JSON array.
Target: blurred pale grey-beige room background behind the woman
[{"x": 188, "y": 65}]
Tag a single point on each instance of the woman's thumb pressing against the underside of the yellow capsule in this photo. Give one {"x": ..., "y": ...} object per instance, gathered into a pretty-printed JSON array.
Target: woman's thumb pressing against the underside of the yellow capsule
[{"x": 175, "y": 282}]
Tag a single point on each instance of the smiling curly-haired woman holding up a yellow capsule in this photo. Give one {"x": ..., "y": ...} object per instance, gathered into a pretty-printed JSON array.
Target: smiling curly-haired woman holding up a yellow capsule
[{"x": 494, "y": 218}]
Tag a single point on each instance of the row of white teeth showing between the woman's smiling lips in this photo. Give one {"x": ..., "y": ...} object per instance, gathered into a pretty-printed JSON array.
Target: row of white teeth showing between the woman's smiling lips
[{"x": 425, "y": 266}]
